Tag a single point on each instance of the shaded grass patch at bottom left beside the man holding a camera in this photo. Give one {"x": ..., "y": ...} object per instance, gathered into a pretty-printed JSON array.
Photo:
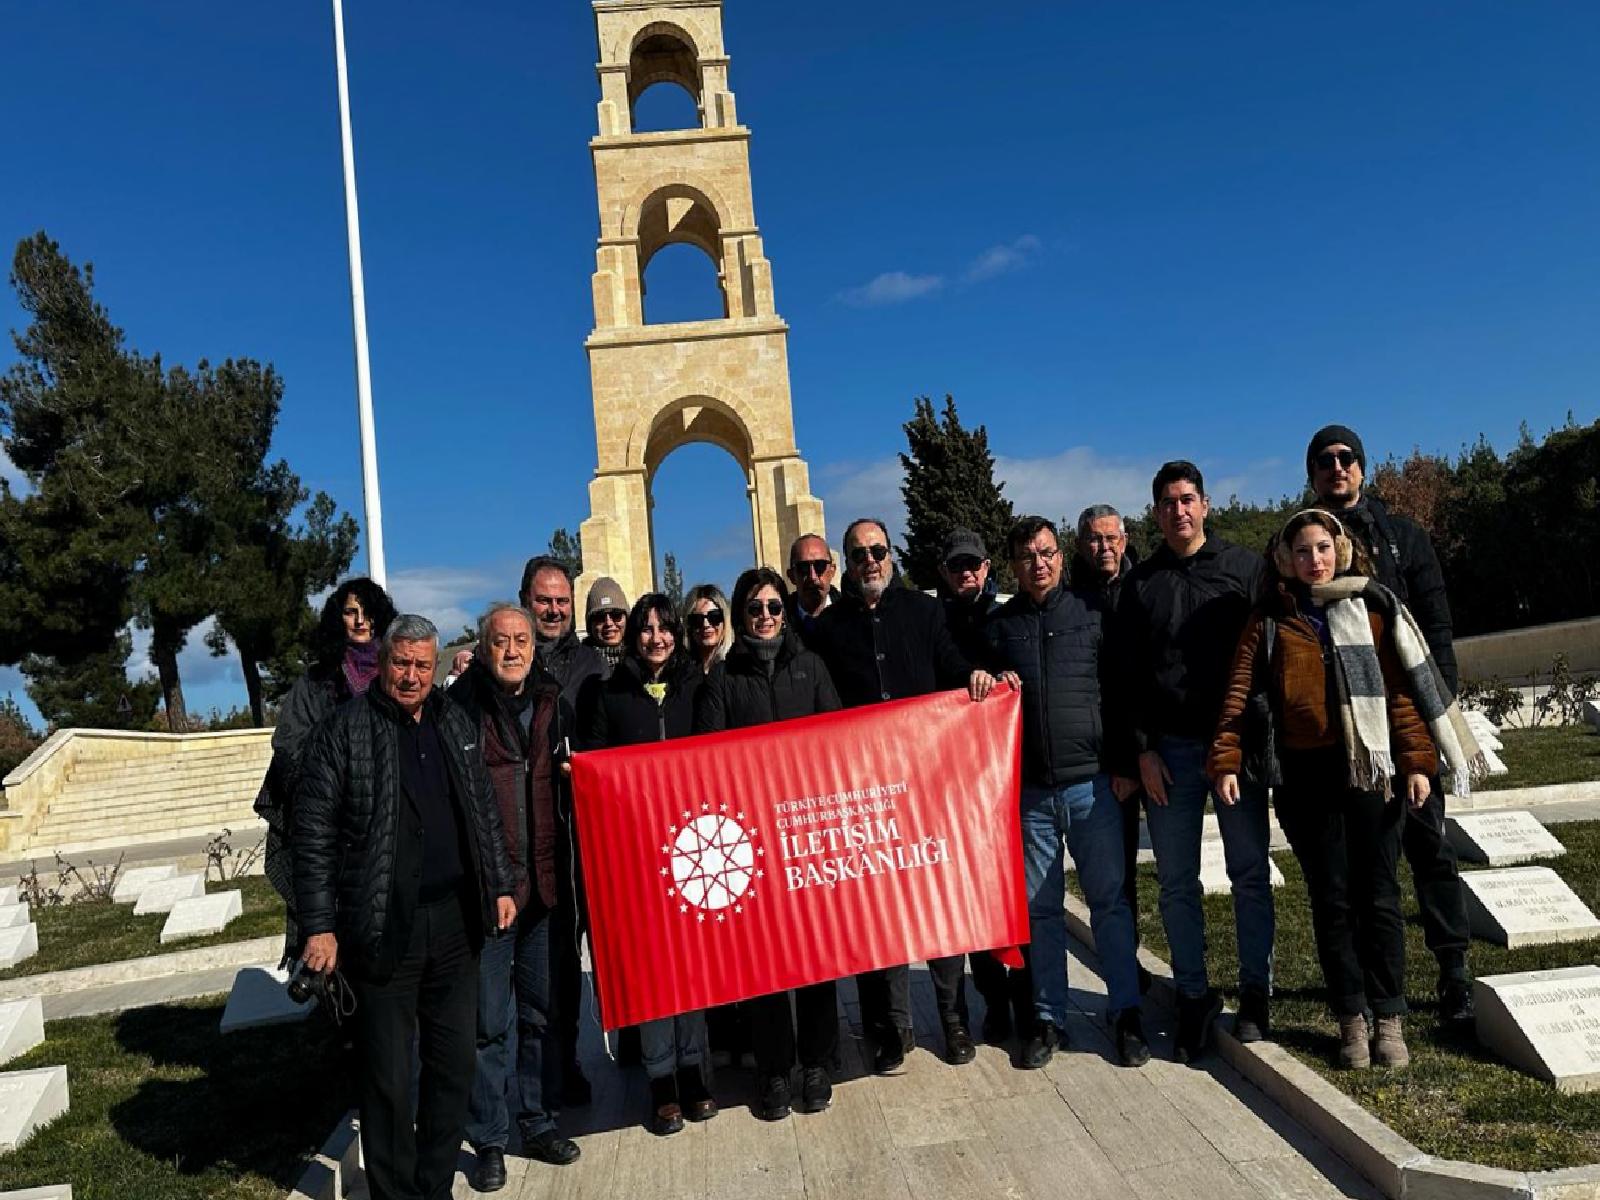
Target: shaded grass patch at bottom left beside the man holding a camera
[{"x": 164, "y": 1108}]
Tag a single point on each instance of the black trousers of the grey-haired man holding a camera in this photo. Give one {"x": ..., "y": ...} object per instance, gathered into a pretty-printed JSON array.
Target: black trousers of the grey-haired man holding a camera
[{"x": 434, "y": 998}]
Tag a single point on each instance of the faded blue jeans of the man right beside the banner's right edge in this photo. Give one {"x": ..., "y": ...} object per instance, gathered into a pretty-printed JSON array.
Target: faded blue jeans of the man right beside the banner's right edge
[{"x": 1087, "y": 820}]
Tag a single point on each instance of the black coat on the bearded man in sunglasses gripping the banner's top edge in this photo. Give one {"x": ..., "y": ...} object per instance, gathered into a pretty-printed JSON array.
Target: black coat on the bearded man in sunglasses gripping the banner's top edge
[{"x": 894, "y": 652}]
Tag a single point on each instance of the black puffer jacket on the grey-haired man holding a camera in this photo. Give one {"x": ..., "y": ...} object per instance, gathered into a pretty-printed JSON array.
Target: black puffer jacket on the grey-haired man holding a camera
[{"x": 359, "y": 838}]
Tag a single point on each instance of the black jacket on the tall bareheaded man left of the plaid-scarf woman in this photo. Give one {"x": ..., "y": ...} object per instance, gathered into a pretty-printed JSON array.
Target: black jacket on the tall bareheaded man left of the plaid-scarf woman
[{"x": 1178, "y": 622}]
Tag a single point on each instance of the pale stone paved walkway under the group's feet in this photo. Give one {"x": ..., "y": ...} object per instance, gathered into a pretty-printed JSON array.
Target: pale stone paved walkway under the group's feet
[{"x": 1081, "y": 1129}]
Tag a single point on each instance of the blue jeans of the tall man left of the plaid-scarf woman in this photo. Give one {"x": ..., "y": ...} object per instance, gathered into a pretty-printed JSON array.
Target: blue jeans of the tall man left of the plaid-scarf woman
[{"x": 1175, "y": 838}]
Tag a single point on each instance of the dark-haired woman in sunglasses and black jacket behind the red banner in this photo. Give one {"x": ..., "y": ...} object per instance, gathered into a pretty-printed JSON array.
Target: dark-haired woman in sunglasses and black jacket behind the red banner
[{"x": 770, "y": 678}]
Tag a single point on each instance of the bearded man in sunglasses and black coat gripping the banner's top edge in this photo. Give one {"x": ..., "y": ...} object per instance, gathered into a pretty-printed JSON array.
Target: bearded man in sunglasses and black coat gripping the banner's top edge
[{"x": 881, "y": 642}]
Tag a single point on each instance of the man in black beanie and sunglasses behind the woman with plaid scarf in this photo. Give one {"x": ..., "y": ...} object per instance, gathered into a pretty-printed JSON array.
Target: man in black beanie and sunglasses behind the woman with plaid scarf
[{"x": 1406, "y": 564}]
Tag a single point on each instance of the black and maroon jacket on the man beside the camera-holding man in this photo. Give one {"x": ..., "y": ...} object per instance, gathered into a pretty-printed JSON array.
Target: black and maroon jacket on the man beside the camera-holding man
[{"x": 522, "y": 770}]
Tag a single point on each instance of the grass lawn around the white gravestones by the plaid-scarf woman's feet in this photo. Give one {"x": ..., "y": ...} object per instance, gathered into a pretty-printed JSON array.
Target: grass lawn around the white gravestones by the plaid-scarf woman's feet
[{"x": 1455, "y": 1100}]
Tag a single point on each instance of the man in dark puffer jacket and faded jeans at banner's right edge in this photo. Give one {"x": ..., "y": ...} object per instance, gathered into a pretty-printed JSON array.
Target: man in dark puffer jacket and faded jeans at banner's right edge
[{"x": 1052, "y": 639}]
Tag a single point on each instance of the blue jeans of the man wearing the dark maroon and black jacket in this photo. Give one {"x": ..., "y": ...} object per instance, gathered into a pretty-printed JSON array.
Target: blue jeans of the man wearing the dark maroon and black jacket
[{"x": 514, "y": 1026}]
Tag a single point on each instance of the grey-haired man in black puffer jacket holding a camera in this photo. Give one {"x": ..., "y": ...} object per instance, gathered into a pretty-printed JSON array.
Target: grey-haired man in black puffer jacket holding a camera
[{"x": 401, "y": 874}]
